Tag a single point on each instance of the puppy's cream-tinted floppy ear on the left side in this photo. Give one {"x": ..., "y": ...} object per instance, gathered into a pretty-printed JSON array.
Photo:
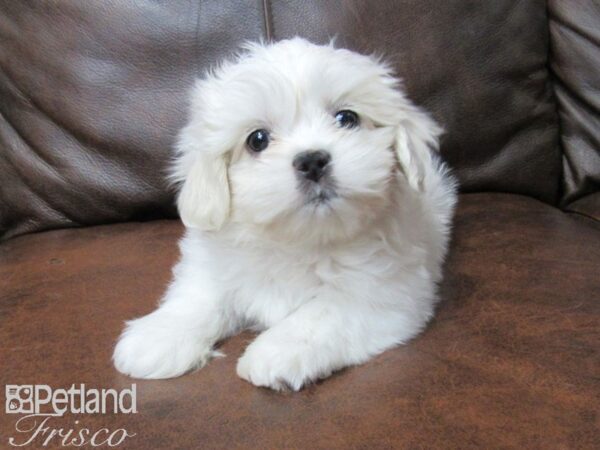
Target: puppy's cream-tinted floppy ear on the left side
[{"x": 204, "y": 198}]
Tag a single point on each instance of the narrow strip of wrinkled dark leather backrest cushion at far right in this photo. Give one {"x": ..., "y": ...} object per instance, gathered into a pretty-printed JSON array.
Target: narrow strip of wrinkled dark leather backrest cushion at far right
[{"x": 575, "y": 44}]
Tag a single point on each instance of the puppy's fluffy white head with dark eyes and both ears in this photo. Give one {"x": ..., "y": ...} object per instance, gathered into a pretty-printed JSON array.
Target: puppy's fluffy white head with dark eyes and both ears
[{"x": 300, "y": 141}]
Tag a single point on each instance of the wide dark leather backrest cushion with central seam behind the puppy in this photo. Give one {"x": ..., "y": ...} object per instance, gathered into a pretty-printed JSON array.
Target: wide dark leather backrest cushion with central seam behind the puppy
[{"x": 93, "y": 93}]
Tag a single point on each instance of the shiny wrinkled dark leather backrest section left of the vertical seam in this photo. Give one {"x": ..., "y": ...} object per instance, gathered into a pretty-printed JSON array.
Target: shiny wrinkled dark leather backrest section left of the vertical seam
[{"x": 91, "y": 97}]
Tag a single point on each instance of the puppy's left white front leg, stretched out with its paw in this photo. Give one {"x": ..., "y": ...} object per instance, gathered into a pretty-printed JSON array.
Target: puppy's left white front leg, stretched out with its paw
[{"x": 180, "y": 334}]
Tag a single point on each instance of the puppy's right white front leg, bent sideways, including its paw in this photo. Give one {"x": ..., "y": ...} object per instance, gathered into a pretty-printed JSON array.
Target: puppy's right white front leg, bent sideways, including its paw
[{"x": 321, "y": 337}]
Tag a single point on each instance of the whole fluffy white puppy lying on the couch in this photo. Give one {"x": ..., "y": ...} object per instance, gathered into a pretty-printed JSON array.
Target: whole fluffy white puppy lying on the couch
[{"x": 315, "y": 211}]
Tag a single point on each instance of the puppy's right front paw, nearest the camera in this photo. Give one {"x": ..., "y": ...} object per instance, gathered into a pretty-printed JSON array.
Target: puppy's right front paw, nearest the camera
[{"x": 280, "y": 364}]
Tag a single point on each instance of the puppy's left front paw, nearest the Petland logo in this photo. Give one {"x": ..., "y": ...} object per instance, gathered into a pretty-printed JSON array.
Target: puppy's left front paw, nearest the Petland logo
[{"x": 156, "y": 347}]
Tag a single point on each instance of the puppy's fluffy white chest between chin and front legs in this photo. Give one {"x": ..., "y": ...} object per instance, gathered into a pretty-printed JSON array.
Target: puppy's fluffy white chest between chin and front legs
[{"x": 265, "y": 286}]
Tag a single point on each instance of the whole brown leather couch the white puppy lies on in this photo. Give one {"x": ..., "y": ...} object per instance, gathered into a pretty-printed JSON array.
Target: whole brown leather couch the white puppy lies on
[{"x": 91, "y": 96}]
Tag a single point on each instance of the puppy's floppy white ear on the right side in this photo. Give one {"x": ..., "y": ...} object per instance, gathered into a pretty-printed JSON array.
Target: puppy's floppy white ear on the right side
[{"x": 417, "y": 135}]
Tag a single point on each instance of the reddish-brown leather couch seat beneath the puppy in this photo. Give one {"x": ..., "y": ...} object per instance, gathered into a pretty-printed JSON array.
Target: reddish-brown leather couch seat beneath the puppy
[{"x": 510, "y": 360}]
